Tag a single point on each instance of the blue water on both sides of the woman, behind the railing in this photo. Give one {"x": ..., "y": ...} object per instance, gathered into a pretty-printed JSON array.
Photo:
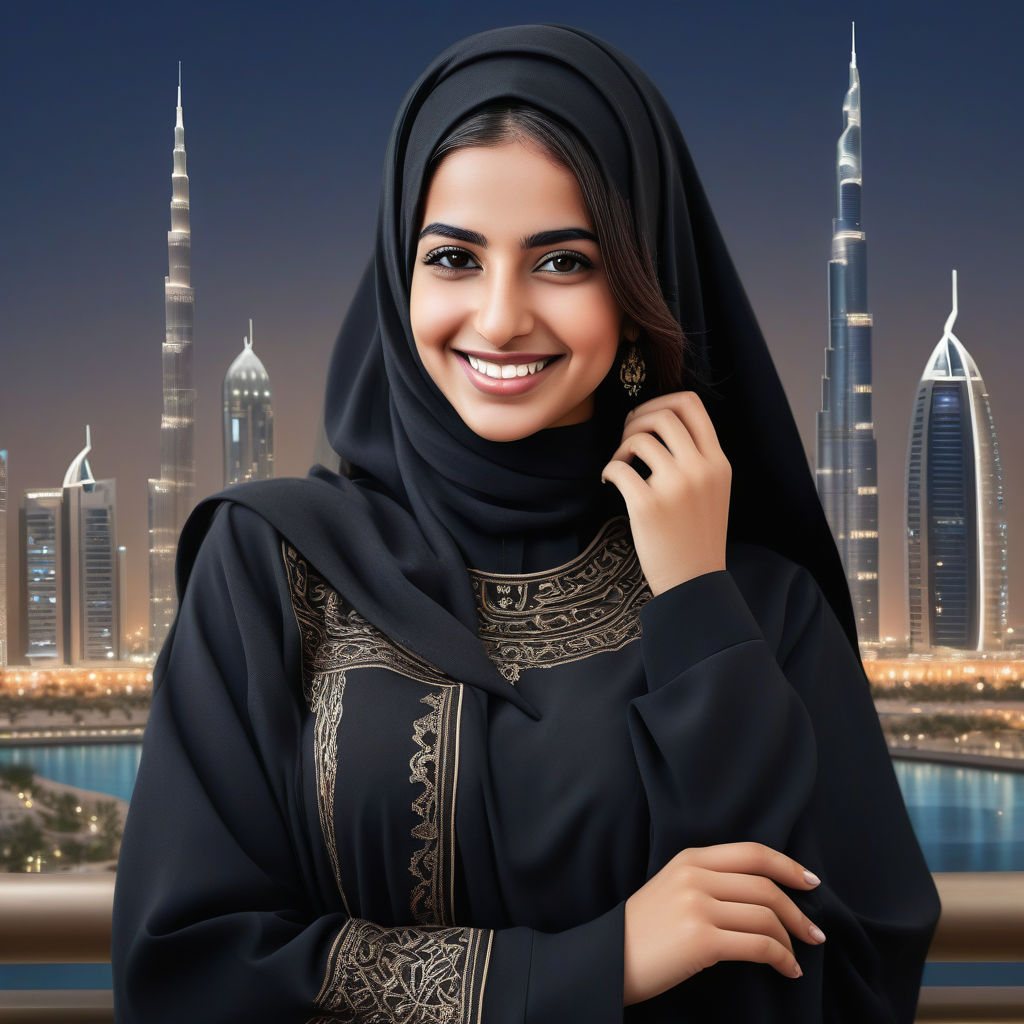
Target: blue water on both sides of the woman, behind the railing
[{"x": 966, "y": 820}]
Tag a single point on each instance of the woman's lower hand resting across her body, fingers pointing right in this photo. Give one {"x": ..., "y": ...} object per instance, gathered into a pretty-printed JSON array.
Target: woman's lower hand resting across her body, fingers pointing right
[{"x": 714, "y": 904}]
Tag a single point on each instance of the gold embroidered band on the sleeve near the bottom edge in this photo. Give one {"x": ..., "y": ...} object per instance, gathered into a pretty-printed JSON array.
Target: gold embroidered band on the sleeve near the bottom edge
[{"x": 403, "y": 975}]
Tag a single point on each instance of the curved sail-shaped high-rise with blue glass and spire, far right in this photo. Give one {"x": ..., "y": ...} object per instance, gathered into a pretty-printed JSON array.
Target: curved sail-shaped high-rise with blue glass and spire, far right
[{"x": 956, "y": 544}]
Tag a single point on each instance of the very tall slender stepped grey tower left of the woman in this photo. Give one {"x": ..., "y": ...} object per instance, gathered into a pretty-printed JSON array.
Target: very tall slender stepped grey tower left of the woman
[{"x": 174, "y": 494}]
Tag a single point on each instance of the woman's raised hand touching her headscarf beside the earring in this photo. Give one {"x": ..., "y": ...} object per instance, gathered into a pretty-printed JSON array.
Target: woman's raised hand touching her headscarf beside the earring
[{"x": 679, "y": 516}]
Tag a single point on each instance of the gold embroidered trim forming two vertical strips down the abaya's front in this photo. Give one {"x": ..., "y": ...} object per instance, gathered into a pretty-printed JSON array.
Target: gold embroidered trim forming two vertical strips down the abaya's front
[{"x": 335, "y": 641}]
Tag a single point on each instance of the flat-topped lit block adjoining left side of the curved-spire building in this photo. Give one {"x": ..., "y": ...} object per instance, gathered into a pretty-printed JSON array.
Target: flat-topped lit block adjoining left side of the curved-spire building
[{"x": 41, "y": 577}]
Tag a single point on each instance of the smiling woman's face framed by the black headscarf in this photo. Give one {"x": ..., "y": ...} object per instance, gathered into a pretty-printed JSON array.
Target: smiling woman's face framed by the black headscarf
[{"x": 508, "y": 276}]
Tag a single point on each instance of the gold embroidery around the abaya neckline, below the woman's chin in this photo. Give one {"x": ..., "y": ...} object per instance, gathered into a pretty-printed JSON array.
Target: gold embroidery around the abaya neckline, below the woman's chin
[{"x": 584, "y": 608}]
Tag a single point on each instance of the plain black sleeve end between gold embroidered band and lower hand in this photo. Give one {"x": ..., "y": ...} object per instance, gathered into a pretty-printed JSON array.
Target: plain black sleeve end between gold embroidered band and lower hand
[{"x": 550, "y": 978}]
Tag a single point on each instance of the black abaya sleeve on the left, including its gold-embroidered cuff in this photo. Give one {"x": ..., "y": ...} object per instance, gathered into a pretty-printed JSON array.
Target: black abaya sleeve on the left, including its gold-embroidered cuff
[{"x": 225, "y": 909}]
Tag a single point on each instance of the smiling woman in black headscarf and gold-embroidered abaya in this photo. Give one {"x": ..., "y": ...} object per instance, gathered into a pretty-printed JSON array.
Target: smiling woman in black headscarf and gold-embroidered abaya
[{"x": 501, "y": 726}]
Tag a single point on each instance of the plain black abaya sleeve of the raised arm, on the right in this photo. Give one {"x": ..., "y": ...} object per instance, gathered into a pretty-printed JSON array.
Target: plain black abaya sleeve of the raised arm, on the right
[{"x": 761, "y": 728}]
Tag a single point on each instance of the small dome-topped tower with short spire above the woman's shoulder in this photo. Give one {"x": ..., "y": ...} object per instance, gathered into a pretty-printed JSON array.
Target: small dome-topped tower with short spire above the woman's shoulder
[{"x": 248, "y": 418}]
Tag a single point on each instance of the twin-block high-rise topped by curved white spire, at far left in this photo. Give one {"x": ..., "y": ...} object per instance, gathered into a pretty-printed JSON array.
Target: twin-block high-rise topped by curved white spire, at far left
[{"x": 70, "y": 588}]
